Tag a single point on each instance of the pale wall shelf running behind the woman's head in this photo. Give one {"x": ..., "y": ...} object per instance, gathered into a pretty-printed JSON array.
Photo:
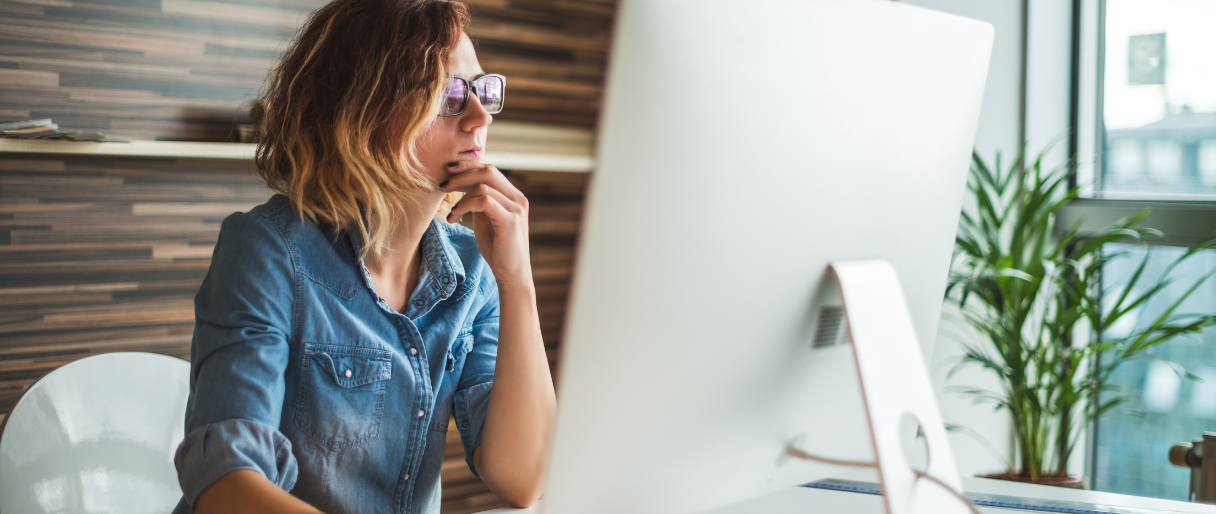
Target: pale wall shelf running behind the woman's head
[{"x": 511, "y": 146}]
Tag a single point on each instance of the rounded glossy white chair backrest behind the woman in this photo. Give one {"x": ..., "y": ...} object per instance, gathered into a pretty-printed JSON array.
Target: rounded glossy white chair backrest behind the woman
[{"x": 97, "y": 436}]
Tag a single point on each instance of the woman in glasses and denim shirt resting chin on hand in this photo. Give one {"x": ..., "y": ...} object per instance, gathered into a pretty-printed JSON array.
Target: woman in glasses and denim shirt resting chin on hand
[{"x": 342, "y": 324}]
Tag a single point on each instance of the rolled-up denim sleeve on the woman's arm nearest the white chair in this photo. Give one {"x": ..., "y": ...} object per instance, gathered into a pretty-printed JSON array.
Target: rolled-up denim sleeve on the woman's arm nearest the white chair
[{"x": 239, "y": 359}]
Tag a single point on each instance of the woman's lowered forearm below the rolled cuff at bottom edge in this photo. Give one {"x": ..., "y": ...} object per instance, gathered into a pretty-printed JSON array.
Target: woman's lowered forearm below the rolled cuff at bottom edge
[{"x": 247, "y": 492}]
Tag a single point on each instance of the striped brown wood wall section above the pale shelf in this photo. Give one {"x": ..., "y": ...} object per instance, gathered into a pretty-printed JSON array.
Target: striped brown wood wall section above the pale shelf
[{"x": 185, "y": 70}]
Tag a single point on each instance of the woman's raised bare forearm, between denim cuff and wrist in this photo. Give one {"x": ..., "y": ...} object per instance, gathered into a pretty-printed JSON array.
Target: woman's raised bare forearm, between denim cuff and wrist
[{"x": 520, "y": 419}]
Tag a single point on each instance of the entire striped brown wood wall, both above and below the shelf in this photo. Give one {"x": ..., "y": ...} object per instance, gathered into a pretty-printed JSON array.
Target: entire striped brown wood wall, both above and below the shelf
[{"x": 105, "y": 255}]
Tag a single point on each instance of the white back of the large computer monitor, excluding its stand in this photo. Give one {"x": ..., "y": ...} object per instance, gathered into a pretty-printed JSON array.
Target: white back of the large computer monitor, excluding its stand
[{"x": 742, "y": 148}]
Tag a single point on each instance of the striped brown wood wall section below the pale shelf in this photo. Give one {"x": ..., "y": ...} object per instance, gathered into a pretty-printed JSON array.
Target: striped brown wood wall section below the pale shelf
[{"x": 106, "y": 255}]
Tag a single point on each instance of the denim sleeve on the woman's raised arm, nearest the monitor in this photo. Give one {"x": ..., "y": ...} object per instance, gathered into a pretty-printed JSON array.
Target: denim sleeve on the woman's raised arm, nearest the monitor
[{"x": 474, "y": 392}]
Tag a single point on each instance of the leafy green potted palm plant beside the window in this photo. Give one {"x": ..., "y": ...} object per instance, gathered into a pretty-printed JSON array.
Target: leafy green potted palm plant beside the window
[{"x": 1026, "y": 285}]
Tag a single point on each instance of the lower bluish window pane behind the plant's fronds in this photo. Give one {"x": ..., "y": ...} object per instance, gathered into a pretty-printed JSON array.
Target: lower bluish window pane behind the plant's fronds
[{"x": 1133, "y": 443}]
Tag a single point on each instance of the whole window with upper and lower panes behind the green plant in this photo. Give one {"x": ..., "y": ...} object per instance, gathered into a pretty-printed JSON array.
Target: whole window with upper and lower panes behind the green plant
[{"x": 1146, "y": 110}]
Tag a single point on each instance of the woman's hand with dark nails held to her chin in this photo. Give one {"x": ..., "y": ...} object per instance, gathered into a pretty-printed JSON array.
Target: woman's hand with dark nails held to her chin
[{"x": 500, "y": 218}]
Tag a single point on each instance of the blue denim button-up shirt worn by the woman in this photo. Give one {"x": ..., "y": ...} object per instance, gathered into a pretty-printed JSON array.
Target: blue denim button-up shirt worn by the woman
[{"x": 301, "y": 372}]
